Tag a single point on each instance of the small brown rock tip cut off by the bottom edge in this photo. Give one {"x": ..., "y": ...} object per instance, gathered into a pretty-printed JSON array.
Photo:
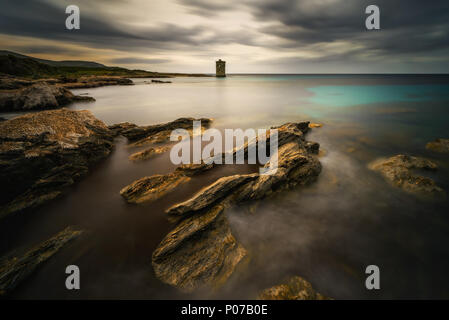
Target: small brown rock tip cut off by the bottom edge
[{"x": 295, "y": 289}]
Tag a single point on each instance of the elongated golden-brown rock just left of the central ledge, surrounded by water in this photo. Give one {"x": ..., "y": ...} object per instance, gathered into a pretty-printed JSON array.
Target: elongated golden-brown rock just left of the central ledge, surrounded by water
[{"x": 152, "y": 188}]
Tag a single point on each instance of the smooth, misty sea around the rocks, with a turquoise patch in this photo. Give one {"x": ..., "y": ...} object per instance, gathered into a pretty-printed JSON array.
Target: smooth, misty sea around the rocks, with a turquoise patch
[{"x": 327, "y": 232}]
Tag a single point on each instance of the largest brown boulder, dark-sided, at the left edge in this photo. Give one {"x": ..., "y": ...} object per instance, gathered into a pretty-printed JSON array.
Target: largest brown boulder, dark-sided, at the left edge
[{"x": 41, "y": 153}]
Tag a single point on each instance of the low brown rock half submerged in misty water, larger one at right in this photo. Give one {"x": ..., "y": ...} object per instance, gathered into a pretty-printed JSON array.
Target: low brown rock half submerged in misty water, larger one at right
[{"x": 398, "y": 170}]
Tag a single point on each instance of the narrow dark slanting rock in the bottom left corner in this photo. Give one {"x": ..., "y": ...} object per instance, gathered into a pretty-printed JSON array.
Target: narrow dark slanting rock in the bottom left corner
[{"x": 15, "y": 270}]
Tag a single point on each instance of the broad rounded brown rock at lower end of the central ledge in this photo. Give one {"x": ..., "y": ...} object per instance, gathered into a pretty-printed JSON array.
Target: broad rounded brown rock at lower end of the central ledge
[{"x": 199, "y": 251}]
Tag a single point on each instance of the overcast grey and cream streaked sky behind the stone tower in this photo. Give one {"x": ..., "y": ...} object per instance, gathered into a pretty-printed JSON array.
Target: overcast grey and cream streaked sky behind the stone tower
[{"x": 253, "y": 36}]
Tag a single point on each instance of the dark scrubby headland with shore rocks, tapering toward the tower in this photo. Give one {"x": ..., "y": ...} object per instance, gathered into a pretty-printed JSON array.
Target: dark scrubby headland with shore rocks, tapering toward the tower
[{"x": 28, "y": 83}]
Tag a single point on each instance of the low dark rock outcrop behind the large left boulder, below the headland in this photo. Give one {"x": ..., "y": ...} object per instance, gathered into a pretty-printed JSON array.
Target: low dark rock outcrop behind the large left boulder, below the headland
[{"x": 38, "y": 96}]
